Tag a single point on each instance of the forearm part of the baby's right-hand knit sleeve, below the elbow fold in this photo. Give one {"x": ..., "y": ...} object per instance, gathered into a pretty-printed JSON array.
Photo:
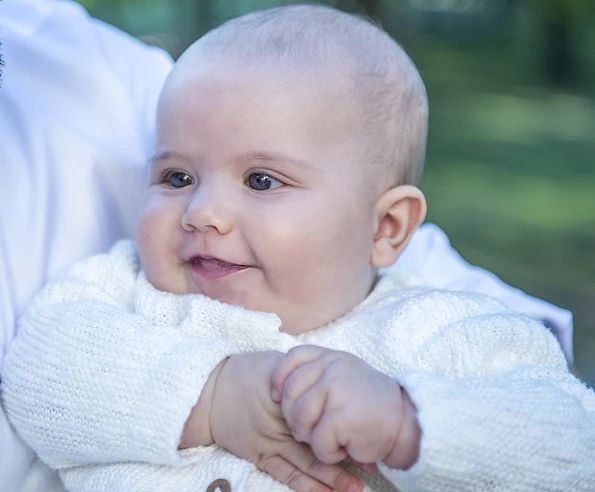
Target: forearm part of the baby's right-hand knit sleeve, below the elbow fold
[{"x": 515, "y": 430}]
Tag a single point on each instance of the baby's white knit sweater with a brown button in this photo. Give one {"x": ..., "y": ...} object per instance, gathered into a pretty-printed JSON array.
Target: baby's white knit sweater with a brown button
[{"x": 106, "y": 370}]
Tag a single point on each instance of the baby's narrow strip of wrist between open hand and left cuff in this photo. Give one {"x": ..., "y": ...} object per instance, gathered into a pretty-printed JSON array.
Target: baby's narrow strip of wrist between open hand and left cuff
[{"x": 197, "y": 429}]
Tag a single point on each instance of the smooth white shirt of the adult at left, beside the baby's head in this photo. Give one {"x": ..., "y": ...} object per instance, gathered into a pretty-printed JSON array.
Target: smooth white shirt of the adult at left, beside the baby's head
[{"x": 76, "y": 125}]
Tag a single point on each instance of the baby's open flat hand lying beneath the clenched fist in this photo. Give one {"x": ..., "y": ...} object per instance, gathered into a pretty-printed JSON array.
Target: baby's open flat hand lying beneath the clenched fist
[{"x": 249, "y": 424}]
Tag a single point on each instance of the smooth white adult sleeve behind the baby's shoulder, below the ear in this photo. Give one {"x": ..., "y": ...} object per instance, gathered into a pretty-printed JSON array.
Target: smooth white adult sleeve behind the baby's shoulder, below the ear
[{"x": 434, "y": 262}]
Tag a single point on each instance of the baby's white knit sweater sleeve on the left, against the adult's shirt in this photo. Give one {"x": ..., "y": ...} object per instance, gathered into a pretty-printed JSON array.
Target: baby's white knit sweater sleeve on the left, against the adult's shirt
[{"x": 89, "y": 381}]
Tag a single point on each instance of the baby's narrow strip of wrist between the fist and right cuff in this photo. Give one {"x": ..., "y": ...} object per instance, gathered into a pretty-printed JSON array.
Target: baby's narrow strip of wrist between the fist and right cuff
[{"x": 405, "y": 451}]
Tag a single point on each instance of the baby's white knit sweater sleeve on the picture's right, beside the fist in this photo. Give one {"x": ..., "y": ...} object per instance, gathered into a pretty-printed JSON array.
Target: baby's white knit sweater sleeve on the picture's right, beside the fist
[{"x": 498, "y": 410}]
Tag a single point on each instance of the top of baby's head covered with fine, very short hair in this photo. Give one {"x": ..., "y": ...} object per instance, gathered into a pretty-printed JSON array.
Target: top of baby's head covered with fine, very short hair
[{"x": 351, "y": 70}]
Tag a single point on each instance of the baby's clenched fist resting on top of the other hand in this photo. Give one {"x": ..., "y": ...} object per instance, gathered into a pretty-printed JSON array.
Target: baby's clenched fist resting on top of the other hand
[{"x": 343, "y": 407}]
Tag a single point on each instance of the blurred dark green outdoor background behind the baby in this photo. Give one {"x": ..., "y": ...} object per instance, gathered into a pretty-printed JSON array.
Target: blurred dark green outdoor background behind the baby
[{"x": 510, "y": 173}]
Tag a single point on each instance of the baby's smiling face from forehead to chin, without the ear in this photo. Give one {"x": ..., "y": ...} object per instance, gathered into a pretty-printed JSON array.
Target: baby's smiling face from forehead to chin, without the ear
[{"x": 257, "y": 197}]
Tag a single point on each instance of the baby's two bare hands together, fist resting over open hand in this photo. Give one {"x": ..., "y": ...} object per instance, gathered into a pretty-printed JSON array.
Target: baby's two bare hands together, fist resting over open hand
[{"x": 298, "y": 415}]
